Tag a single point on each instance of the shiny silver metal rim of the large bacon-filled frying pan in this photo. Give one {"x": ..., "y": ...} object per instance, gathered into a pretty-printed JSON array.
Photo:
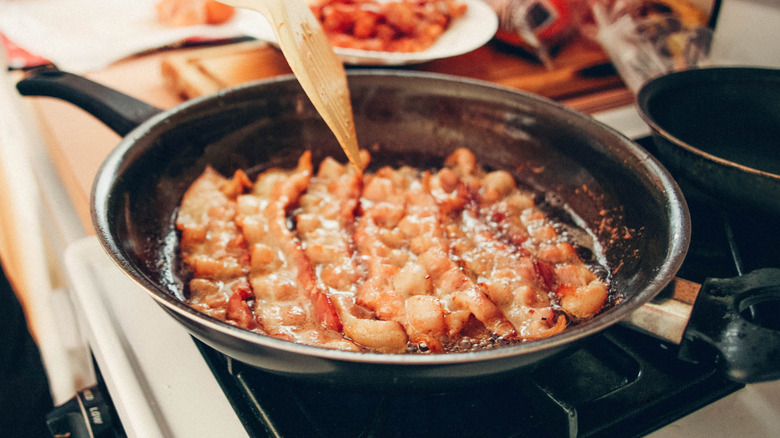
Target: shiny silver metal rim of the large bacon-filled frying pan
[{"x": 677, "y": 251}]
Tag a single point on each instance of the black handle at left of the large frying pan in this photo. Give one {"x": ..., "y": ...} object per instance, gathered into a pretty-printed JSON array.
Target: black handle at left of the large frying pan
[{"x": 118, "y": 111}]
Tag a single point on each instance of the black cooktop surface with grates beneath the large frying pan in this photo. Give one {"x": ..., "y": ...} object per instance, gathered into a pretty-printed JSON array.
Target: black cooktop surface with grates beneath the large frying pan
[{"x": 620, "y": 383}]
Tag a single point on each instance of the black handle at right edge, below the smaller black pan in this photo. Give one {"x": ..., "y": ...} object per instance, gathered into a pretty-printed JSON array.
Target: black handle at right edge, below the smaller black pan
[{"x": 736, "y": 319}]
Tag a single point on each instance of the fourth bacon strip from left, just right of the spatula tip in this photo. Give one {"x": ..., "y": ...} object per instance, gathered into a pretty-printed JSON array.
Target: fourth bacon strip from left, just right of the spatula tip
[{"x": 411, "y": 278}]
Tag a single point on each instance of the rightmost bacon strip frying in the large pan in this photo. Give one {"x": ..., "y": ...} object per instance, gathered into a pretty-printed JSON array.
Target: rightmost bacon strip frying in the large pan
[{"x": 516, "y": 253}]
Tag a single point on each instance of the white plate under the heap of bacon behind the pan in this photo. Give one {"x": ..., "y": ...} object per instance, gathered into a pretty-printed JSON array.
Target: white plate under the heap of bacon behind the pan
[{"x": 467, "y": 33}]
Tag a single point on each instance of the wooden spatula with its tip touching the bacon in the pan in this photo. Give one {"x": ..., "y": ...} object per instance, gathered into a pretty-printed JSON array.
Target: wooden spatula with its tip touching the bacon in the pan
[{"x": 312, "y": 60}]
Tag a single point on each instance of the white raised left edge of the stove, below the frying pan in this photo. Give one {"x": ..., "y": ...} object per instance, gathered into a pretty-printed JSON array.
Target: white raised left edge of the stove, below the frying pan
[{"x": 157, "y": 378}]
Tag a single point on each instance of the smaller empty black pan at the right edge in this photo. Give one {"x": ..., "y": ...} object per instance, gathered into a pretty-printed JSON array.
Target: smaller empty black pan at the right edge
[{"x": 718, "y": 128}]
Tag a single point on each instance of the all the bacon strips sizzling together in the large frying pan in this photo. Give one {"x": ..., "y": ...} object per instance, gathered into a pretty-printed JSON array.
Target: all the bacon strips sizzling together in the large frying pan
[{"x": 392, "y": 261}]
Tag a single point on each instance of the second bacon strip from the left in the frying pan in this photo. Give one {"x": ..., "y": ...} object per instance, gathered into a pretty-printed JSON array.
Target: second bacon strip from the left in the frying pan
[{"x": 279, "y": 266}]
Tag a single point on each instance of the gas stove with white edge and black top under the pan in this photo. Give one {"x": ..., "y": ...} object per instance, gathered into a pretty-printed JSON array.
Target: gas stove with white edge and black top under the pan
[{"x": 161, "y": 381}]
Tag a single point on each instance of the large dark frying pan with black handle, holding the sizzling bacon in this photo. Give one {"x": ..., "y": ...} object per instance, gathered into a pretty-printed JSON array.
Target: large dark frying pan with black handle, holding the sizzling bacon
[{"x": 629, "y": 201}]
